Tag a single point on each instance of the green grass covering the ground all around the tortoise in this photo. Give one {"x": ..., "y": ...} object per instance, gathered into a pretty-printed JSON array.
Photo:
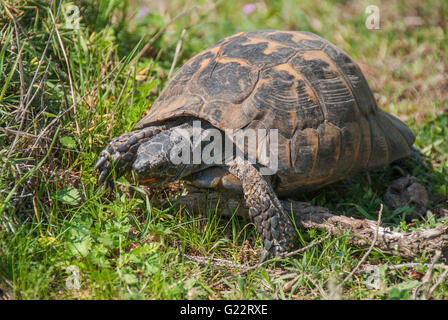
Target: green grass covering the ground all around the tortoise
[{"x": 127, "y": 244}]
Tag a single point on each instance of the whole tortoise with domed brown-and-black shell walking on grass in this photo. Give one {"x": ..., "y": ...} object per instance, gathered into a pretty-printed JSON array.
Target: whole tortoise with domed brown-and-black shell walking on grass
[{"x": 297, "y": 84}]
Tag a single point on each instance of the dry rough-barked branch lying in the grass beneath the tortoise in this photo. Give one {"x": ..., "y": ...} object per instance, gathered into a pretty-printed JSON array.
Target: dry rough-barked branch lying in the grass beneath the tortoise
[{"x": 362, "y": 233}]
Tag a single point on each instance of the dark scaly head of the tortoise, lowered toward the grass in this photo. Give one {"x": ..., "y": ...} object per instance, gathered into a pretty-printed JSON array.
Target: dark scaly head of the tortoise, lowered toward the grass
[{"x": 172, "y": 154}]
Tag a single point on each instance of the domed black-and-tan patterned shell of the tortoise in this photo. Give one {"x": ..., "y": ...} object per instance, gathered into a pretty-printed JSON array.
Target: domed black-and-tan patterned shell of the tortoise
[{"x": 310, "y": 90}]
